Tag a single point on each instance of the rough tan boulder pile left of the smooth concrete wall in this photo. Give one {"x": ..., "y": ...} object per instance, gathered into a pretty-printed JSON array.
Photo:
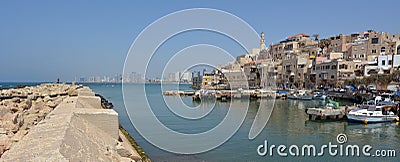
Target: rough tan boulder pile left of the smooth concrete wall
[{"x": 23, "y": 108}]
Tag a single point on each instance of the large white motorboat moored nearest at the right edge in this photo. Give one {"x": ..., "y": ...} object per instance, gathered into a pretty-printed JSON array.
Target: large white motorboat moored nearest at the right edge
[{"x": 373, "y": 114}]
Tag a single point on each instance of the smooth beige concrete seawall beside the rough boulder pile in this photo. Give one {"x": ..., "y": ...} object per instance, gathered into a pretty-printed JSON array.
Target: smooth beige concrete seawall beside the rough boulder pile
[{"x": 78, "y": 129}]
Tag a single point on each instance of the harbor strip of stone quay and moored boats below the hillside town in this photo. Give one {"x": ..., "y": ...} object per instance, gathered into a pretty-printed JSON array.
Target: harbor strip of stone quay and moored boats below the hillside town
[{"x": 383, "y": 106}]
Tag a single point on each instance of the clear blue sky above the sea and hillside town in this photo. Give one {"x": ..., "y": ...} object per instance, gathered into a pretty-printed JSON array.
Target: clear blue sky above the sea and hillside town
[{"x": 46, "y": 40}]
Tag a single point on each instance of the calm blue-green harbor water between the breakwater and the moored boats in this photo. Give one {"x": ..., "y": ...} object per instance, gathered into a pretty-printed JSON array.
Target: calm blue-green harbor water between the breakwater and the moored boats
[{"x": 288, "y": 125}]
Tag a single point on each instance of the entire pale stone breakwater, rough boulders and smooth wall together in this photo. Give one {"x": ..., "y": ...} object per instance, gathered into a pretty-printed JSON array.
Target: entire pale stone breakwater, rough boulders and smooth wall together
[{"x": 60, "y": 122}]
